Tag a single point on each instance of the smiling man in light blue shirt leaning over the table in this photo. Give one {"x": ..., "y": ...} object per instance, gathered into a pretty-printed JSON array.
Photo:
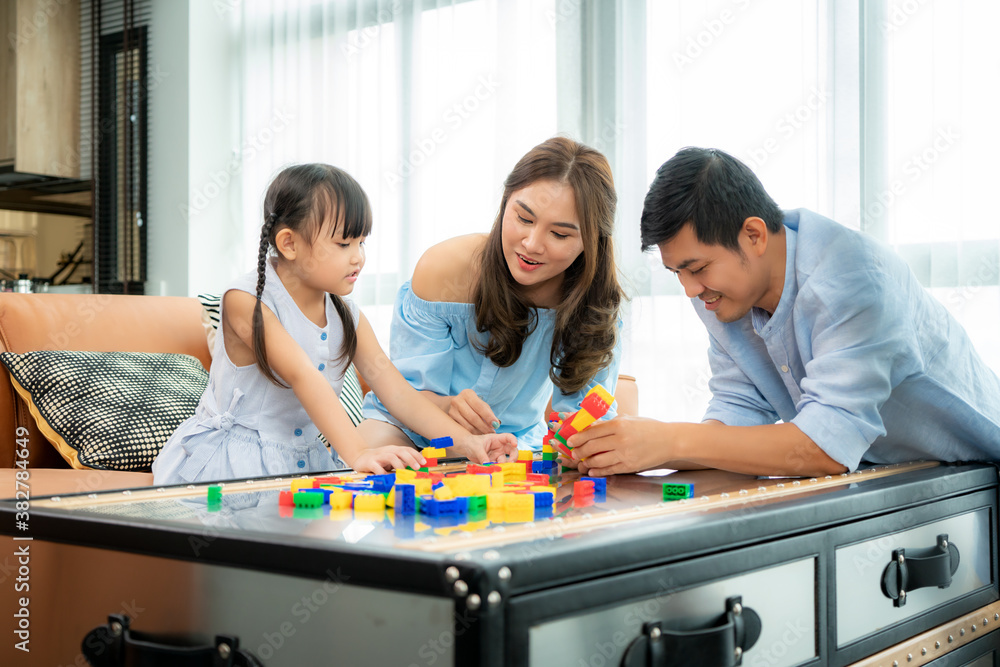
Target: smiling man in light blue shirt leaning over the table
[{"x": 809, "y": 323}]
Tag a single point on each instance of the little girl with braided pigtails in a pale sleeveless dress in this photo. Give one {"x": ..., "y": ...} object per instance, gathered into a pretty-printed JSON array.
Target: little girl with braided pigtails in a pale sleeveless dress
[{"x": 287, "y": 336}]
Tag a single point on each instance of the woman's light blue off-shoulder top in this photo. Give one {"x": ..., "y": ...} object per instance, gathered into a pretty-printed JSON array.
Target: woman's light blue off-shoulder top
[{"x": 430, "y": 345}]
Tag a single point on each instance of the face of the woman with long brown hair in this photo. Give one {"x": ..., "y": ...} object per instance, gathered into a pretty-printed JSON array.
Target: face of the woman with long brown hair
[{"x": 541, "y": 238}]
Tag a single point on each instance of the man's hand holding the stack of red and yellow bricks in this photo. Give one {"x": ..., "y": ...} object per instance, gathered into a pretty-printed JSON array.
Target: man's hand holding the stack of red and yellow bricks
[{"x": 621, "y": 445}]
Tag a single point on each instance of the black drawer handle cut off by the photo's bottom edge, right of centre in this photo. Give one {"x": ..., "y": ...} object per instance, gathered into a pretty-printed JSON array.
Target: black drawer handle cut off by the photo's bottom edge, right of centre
[{"x": 722, "y": 644}]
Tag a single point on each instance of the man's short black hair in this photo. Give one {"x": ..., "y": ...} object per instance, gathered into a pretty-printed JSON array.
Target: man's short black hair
[{"x": 710, "y": 189}]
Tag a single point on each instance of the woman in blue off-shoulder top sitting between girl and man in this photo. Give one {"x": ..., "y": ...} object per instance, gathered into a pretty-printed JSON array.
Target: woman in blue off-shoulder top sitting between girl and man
[{"x": 490, "y": 322}]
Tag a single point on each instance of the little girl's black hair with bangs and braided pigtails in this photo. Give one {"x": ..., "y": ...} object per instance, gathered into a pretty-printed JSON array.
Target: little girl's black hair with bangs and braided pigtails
[{"x": 301, "y": 198}]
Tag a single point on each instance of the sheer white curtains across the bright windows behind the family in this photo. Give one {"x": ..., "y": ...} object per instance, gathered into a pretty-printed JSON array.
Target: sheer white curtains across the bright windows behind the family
[{"x": 430, "y": 103}]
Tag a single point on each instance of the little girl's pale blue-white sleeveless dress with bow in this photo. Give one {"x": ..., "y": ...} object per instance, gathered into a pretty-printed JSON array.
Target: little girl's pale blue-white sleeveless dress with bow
[{"x": 245, "y": 426}]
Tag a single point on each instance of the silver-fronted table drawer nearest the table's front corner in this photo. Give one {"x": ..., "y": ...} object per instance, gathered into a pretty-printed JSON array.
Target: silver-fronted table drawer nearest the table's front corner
[{"x": 596, "y": 622}]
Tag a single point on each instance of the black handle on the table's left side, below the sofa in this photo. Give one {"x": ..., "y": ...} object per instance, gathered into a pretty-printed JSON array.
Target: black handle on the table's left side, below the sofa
[{"x": 115, "y": 645}]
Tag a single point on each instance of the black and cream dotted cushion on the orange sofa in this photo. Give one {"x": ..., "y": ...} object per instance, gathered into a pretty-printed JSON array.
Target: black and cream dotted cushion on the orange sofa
[{"x": 107, "y": 410}]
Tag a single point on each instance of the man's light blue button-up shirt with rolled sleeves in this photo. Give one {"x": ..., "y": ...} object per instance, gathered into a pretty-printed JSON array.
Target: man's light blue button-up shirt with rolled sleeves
[{"x": 857, "y": 355}]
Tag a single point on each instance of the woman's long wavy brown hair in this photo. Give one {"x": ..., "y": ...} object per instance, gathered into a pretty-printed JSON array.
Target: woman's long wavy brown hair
[{"x": 587, "y": 315}]
